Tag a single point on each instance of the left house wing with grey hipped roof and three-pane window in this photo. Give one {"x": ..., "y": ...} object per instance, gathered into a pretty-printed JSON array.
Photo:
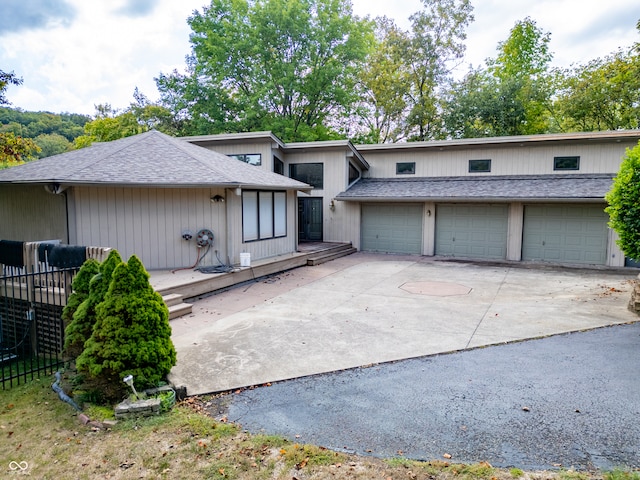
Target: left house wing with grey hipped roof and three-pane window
[{"x": 154, "y": 196}]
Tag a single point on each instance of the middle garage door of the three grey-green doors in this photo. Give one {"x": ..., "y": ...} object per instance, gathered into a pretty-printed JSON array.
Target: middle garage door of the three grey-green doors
[{"x": 472, "y": 231}]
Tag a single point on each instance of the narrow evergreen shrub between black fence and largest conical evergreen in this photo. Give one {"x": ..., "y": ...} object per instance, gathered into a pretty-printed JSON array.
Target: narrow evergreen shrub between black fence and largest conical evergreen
[{"x": 91, "y": 284}]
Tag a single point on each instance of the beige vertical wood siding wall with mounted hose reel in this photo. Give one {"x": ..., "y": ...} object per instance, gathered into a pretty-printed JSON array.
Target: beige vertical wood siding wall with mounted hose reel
[{"x": 149, "y": 222}]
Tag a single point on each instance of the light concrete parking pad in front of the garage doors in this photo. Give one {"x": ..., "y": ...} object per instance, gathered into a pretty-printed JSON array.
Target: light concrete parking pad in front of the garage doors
[{"x": 368, "y": 308}]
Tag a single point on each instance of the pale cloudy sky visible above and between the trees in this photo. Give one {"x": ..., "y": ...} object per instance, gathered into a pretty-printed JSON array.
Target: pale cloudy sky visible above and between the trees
[{"x": 75, "y": 54}]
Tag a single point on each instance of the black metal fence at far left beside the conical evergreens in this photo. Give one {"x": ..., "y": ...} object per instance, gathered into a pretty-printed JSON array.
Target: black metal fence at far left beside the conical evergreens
[{"x": 31, "y": 326}]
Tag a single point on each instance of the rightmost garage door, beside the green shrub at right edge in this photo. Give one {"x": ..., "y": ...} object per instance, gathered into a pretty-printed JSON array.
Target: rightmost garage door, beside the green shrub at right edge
[{"x": 565, "y": 234}]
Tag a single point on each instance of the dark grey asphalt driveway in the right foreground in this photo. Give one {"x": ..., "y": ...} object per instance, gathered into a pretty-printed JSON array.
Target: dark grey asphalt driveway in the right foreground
[{"x": 567, "y": 401}]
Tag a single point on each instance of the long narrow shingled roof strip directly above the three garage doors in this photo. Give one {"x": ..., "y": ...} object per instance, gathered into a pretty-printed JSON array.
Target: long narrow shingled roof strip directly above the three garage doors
[{"x": 495, "y": 188}]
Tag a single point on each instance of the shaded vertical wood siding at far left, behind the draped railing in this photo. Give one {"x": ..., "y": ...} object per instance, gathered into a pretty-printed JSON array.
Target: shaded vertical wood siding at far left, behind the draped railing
[{"x": 29, "y": 213}]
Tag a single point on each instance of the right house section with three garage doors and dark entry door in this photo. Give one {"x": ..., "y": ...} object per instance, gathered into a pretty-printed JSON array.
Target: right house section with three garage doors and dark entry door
[{"x": 527, "y": 198}]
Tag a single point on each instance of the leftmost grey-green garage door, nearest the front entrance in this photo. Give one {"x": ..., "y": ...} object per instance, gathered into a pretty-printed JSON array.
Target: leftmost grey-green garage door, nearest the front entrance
[{"x": 392, "y": 228}]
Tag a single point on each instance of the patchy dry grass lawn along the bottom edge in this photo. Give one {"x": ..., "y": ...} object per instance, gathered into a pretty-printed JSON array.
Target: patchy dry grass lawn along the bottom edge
[{"x": 39, "y": 429}]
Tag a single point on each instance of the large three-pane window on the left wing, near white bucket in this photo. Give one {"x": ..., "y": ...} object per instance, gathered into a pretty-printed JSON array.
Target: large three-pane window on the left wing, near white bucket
[{"x": 264, "y": 215}]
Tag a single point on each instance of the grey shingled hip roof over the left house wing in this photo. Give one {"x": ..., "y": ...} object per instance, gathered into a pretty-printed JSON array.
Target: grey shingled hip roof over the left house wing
[{"x": 148, "y": 159}]
